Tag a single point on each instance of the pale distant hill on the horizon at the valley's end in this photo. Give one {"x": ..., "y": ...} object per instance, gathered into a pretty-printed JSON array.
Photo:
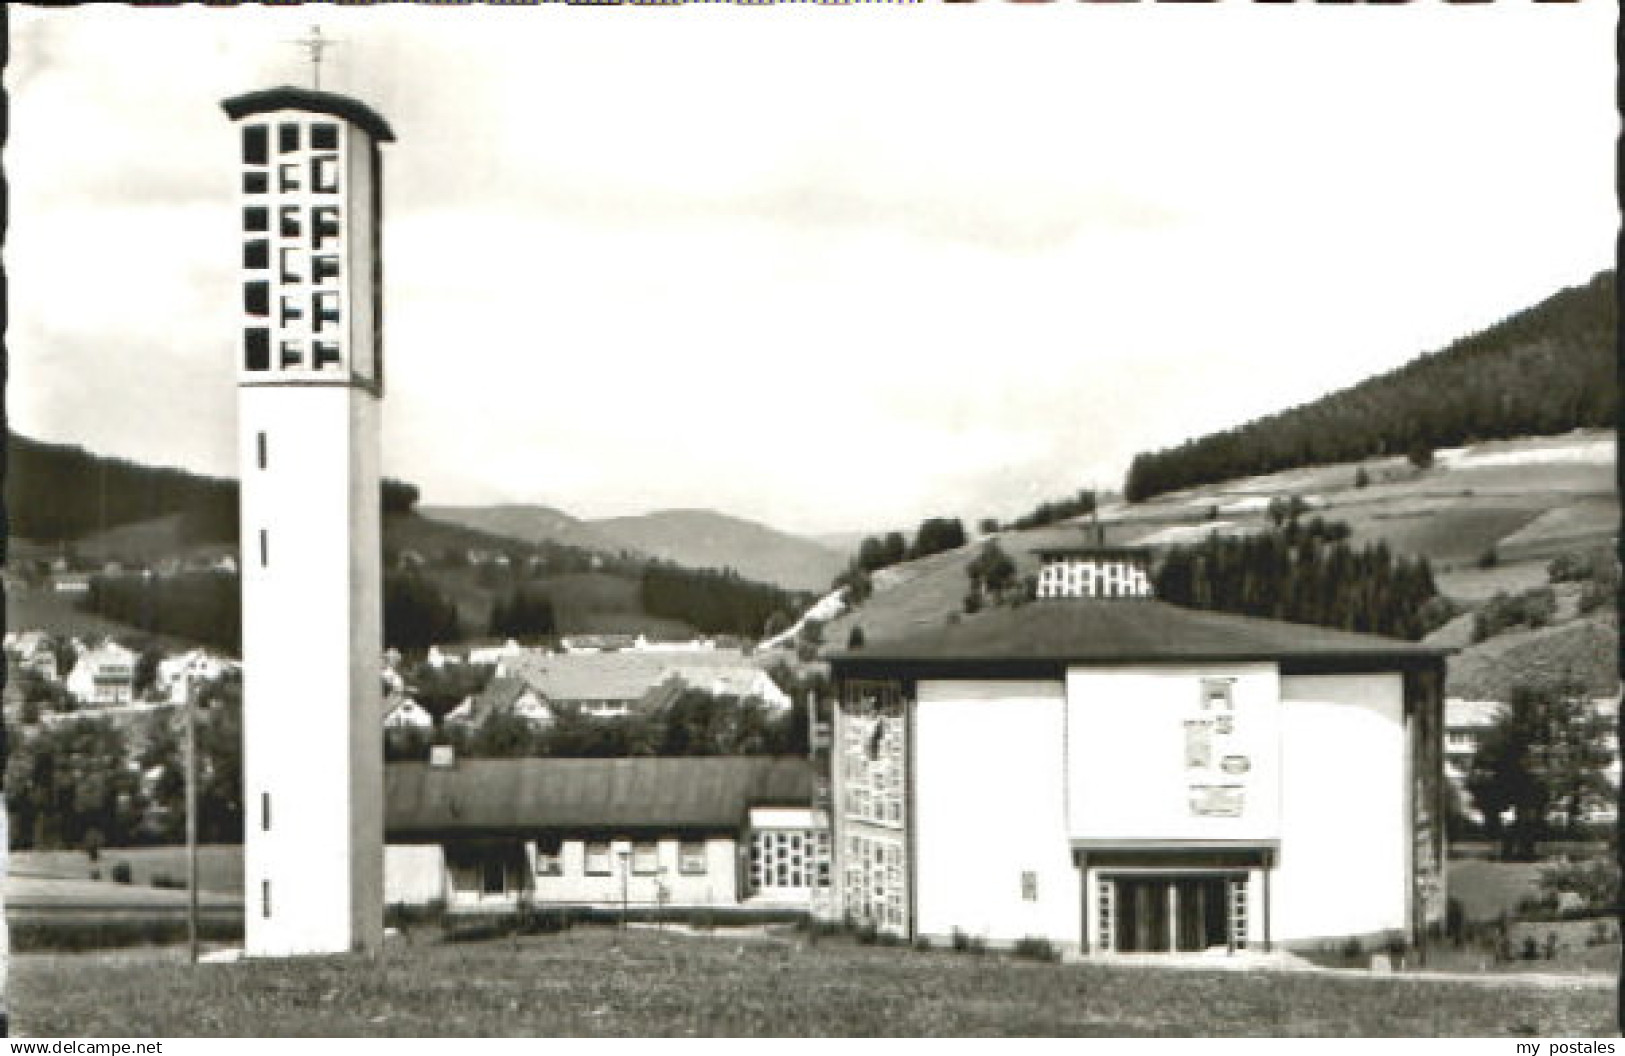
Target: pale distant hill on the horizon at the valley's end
[{"x": 708, "y": 540}]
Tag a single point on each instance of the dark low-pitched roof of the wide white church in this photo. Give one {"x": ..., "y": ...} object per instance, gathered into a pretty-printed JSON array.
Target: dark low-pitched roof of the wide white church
[{"x": 1072, "y": 631}]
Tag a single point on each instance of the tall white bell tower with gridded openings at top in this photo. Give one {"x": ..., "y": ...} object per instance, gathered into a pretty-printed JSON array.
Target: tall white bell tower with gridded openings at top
[{"x": 311, "y": 376}]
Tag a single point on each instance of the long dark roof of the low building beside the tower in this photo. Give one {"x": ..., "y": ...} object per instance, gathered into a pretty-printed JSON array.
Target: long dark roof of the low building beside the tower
[{"x": 527, "y": 795}]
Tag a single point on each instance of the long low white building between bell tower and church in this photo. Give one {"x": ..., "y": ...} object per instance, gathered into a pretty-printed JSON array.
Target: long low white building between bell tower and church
[{"x": 682, "y": 833}]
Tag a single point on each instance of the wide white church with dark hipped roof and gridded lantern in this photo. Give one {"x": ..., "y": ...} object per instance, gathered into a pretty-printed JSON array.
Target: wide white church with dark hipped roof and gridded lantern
[{"x": 1116, "y": 774}]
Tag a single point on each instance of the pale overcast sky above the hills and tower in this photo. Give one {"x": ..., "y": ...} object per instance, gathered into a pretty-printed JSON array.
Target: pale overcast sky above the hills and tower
[{"x": 821, "y": 267}]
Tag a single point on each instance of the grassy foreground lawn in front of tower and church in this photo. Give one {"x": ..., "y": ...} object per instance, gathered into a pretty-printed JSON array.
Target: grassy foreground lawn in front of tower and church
[{"x": 600, "y": 982}]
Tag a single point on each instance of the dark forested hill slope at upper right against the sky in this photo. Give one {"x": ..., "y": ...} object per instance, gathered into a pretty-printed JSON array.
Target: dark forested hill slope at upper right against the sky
[{"x": 1545, "y": 371}]
